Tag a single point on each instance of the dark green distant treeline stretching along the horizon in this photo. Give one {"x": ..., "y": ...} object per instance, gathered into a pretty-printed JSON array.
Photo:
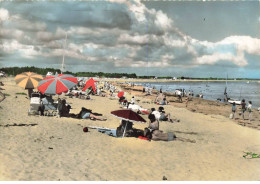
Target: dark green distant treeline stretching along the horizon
[{"x": 13, "y": 71}]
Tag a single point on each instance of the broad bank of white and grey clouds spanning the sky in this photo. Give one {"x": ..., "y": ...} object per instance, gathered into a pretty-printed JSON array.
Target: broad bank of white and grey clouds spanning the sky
[{"x": 120, "y": 32}]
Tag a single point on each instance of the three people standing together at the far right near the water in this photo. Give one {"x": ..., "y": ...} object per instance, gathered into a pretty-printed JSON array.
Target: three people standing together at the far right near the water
[{"x": 244, "y": 108}]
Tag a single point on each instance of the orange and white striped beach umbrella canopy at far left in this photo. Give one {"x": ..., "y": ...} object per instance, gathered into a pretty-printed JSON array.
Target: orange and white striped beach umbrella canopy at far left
[{"x": 28, "y": 80}]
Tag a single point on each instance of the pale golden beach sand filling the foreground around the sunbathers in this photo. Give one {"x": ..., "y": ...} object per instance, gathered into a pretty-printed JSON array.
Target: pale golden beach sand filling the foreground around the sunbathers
[{"x": 37, "y": 148}]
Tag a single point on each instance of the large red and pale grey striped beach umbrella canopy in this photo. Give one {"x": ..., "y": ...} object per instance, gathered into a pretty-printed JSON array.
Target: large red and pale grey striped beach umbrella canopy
[{"x": 57, "y": 84}]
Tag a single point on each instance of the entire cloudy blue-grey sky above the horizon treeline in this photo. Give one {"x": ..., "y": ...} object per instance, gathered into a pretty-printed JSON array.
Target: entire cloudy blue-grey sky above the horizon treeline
[{"x": 161, "y": 38}]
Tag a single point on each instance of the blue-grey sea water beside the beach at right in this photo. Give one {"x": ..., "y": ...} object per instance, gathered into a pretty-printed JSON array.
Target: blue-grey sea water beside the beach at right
[{"x": 237, "y": 90}]
